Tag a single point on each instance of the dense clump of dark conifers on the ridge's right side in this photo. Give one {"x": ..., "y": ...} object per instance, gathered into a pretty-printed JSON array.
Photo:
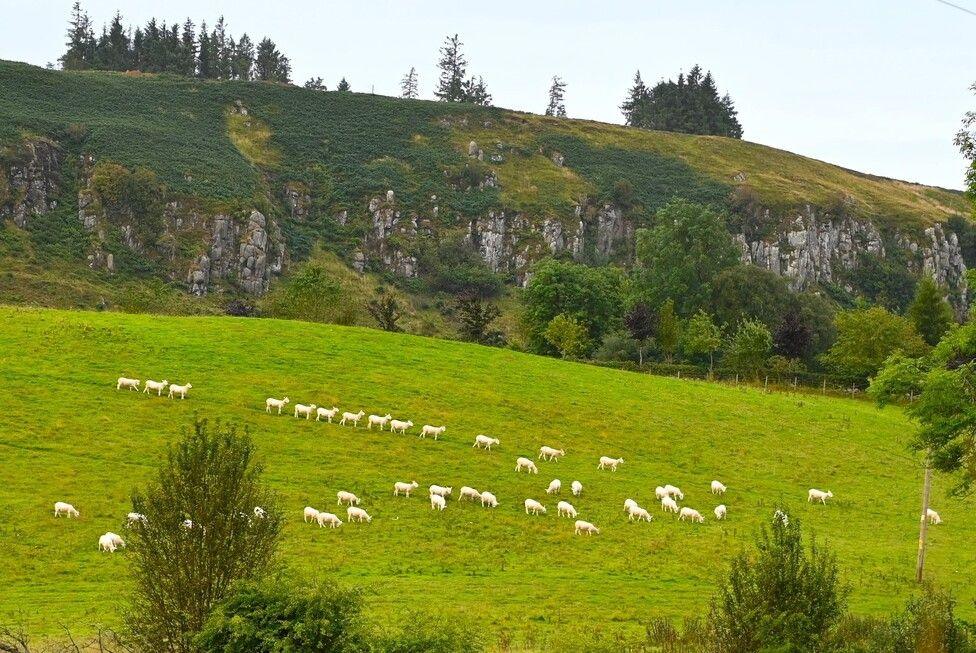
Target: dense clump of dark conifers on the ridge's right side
[{"x": 691, "y": 105}]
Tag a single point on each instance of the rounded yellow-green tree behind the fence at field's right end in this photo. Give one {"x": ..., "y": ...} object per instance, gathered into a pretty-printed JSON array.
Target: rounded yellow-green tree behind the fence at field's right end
[{"x": 866, "y": 337}]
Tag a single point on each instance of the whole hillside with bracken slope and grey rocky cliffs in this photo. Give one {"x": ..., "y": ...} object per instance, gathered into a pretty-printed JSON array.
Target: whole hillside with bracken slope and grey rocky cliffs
[{"x": 108, "y": 180}]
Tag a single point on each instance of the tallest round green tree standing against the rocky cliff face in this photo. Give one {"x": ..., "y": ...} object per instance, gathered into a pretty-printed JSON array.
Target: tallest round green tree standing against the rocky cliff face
[{"x": 682, "y": 254}]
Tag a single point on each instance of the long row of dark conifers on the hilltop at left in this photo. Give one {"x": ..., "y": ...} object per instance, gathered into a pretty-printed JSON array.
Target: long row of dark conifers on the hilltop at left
[{"x": 181, "y": 50}]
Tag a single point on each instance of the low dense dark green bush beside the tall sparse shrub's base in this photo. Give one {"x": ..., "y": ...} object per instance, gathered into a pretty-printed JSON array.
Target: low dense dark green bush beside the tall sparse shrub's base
[{"x": 275, "y": 617}]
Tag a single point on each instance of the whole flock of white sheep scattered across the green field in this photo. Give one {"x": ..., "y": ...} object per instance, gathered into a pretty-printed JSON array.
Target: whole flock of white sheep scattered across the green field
[{"x": 668, "y": 495}]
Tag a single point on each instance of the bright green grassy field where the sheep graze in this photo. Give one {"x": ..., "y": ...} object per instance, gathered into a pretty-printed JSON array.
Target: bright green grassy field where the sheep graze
[{"x": 67, "y": 434}]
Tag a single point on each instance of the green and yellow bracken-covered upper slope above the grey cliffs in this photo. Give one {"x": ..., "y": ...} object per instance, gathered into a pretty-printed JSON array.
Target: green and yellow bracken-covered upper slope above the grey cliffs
[{"x": 348, "y": 146}]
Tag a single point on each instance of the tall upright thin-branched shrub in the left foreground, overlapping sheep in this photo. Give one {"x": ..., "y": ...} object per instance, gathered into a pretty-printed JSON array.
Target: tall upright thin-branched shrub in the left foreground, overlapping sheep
[{"x": 210, "y": 478}]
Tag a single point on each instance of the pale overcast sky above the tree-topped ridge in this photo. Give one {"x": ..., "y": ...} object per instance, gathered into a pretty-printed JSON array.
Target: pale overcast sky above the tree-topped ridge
[{"x": 875, "y": 85}]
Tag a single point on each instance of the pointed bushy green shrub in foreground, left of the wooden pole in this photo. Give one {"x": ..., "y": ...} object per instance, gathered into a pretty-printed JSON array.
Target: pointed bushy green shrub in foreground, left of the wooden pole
[{"x": 785, "y": 597}]
